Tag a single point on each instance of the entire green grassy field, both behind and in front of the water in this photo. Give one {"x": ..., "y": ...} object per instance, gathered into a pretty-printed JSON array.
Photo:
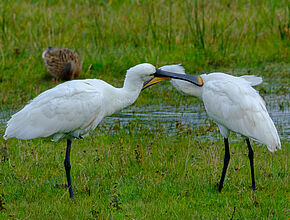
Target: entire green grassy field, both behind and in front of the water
[{"x": 137, "y": 172}]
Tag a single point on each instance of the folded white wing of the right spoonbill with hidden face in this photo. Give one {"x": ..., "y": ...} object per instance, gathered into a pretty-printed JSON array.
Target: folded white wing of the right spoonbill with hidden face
[{"x": 237, "y": 106}]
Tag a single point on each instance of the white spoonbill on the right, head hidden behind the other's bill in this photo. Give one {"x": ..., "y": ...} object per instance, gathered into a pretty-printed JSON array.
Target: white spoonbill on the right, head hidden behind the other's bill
[{"x": 235, "y": 106}]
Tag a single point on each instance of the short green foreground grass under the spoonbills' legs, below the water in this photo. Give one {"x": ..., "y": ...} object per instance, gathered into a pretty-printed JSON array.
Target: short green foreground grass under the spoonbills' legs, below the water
[{"x": 143, "y": 175}]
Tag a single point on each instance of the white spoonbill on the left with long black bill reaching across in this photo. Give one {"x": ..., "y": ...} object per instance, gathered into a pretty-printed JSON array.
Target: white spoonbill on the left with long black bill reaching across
[{"x": 72, "y": 109}]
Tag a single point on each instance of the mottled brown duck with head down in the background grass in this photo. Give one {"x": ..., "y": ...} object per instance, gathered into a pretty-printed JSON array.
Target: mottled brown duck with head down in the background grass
[{"x": 62, "y": 63}]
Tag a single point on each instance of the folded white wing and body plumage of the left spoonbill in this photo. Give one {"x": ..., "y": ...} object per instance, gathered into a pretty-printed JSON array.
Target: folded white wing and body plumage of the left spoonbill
[{"x": 63, "y": 109}]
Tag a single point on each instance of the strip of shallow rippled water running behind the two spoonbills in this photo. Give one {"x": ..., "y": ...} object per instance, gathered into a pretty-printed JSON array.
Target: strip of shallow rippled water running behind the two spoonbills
[{"x": 190, "y": 116}]
